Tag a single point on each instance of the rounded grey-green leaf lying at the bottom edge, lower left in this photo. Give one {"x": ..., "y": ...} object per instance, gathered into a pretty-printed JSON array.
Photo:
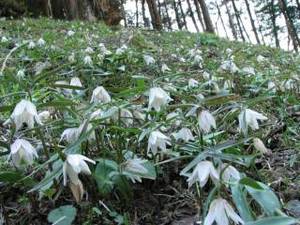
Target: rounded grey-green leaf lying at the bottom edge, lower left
[{"x": 63, "y": 215}]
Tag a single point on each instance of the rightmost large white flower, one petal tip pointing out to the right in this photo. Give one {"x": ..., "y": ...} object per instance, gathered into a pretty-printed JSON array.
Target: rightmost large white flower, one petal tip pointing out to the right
[{"x": 249, "y": 117}]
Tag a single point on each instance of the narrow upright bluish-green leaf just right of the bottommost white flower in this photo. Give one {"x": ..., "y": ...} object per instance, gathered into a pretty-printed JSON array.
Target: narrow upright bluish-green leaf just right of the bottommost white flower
[{"x": 240, "y": 200}]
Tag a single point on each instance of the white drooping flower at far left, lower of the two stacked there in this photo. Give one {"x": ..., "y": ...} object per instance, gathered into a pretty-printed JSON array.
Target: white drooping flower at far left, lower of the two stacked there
[{"x": 22, "y": 152}]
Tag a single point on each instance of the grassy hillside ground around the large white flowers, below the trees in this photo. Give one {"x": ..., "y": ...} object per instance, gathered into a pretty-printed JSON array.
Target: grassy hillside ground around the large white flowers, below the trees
[{"x": 231, "y": 76}]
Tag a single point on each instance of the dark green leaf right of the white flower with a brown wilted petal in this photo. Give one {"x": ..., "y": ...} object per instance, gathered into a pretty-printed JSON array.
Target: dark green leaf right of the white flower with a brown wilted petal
[{"x": 103, "y": 175}]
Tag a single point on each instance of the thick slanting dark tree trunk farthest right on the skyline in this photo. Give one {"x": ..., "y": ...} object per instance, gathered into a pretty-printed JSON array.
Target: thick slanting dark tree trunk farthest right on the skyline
[{"x": 289, "y": 23}]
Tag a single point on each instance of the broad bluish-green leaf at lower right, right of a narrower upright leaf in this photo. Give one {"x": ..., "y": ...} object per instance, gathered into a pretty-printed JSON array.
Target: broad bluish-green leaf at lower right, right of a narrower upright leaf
[{"x": 266, "y": 198}]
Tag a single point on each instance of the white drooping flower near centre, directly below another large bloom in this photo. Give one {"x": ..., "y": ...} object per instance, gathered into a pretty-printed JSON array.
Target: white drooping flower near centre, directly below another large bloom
[{"x": 158, "y": 140}]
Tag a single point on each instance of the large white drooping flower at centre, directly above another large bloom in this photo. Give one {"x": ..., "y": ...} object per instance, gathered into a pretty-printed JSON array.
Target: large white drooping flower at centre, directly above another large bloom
[{"x": 158, "y": 98}]
